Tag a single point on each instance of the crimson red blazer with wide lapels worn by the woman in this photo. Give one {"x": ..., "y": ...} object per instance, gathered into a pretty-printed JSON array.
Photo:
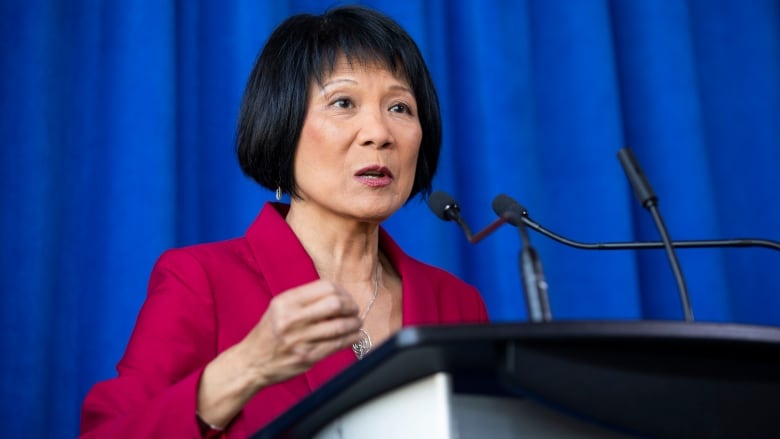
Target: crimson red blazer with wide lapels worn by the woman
[{"x": 205, "y": 298}]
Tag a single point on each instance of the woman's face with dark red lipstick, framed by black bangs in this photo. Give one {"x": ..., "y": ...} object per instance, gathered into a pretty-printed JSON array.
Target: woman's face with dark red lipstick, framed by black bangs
[{"x": 357, "y": 153}]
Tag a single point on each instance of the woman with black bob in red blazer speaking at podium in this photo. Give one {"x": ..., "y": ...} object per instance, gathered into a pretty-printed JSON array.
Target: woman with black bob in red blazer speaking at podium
[{"x": 339, "y": 112}]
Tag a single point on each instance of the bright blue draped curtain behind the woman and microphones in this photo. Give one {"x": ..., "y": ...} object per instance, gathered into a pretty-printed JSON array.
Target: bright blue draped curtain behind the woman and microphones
[{"x": 117, "y": 123}]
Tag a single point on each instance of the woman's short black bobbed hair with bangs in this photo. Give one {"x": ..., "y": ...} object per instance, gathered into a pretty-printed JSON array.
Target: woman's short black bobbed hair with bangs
[{"x": 305, "y": 48}]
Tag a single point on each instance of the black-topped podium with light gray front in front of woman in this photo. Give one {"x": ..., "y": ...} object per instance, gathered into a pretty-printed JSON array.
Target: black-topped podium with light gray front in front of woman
[{"x": 557, "y": 379}]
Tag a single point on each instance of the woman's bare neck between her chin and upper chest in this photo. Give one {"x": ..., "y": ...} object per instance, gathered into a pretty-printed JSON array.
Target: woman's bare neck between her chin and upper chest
[{"x": 344, "y": 251}]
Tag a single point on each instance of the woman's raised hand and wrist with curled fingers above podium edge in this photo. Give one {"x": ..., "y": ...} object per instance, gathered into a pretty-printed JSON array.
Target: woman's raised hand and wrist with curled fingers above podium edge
[{"x": 300, "y": 327}]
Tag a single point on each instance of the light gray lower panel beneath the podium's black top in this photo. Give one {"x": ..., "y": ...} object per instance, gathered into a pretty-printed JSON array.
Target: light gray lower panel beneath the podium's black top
[{"x": 429, "y": 409}]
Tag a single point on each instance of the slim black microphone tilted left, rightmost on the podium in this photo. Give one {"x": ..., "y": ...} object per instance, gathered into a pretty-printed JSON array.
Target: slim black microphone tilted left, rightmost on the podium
[{"x": 647, "y": 198}]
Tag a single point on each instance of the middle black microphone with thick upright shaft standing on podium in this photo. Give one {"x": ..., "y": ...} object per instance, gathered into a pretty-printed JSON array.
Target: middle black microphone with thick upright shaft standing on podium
[{"x": 531, "y": 272}]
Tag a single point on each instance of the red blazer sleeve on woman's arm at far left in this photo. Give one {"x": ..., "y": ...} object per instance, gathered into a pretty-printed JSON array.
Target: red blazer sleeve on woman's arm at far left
[{"x": 155, "y": 392}]
